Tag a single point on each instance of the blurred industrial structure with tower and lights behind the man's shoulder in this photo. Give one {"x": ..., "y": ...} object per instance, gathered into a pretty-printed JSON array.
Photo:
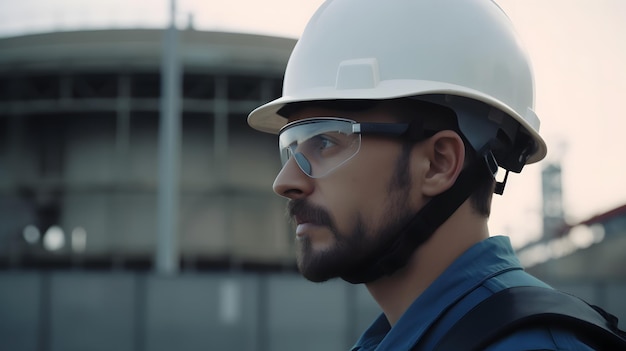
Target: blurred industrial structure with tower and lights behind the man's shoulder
[{"x": 588, "y": 250}]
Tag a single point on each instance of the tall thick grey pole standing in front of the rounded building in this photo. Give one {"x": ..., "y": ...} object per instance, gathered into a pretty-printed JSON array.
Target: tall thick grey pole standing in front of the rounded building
[{"x": 169, "y": 152}]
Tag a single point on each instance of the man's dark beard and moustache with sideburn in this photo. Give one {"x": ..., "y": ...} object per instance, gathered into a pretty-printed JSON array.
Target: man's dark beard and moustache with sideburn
[{"x": 365, "y": 242}]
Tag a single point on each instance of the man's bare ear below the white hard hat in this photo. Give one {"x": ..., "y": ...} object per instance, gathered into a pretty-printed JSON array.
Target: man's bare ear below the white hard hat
[{"x": 445, "y": 152}]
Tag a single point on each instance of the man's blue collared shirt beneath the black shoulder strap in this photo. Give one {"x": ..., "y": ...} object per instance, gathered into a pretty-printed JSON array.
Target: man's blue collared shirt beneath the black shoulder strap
[{"x": 486, "y": 268}]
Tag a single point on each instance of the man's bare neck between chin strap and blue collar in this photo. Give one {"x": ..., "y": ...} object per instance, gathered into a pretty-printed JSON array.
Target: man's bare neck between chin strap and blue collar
[{"x": 395, "y": 293}]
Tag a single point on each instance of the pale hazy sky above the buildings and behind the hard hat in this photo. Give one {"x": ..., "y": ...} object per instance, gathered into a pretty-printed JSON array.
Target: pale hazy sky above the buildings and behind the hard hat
[{"x": 578, "y": 49}]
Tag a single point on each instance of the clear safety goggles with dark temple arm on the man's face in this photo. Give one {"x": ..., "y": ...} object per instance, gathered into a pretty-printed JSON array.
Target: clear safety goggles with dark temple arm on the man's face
[{"x": 322, "y": 144}]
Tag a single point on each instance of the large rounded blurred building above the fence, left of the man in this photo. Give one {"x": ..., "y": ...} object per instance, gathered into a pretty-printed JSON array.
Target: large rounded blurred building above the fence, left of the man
[{"x": 79, "y": 119}]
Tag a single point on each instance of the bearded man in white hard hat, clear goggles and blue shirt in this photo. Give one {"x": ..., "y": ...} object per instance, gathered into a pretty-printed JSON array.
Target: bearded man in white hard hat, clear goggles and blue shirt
[{"x": 394, "y": 119}]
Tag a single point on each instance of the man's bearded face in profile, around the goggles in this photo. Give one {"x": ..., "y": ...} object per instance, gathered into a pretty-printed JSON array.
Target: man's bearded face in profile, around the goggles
[{"x": 345, "y": 217}]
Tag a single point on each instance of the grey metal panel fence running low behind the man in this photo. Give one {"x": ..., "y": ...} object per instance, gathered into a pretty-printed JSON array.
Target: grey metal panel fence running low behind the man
[{"x": 130, "y": 311}]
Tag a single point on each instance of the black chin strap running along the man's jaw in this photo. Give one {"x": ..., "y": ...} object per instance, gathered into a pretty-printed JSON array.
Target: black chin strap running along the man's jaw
[{"x": 424, "y": 223}]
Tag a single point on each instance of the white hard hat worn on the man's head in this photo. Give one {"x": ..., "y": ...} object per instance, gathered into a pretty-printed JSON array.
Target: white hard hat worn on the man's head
[{"x": 365, "y": 49}]
